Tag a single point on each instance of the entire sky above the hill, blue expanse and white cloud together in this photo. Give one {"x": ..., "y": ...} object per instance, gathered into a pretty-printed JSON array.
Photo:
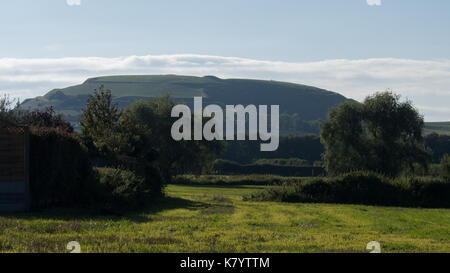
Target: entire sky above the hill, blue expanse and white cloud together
[{"x": 354, "y": 47}]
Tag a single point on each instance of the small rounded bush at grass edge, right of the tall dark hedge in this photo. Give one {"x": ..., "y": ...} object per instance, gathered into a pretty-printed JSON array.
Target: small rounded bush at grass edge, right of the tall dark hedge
[{"x": 122, "y": 189}]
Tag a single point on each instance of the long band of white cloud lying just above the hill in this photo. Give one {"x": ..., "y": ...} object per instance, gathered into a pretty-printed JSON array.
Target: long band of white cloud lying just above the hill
[{"x": 427, "y": 83}]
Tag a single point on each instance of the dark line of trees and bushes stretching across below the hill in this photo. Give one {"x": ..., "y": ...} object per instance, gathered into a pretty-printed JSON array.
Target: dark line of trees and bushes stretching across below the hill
[{"x": 134, "y": 146}]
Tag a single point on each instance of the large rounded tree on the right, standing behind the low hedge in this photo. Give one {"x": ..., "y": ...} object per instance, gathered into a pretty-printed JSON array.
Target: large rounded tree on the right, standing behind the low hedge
[{"x": 382, "y": 134}]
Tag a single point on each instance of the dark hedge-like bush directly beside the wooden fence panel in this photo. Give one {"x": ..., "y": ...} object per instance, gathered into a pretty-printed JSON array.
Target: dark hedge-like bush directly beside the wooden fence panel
[{"x": 60, "y": 170}]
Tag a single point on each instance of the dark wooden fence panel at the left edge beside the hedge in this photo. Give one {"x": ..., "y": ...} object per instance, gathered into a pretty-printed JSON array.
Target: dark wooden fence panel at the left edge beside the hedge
[{"x": 14, "y": 169}]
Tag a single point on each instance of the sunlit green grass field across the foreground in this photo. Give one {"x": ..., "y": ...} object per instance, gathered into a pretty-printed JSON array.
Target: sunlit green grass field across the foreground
[{"x": 215, "y": 219}]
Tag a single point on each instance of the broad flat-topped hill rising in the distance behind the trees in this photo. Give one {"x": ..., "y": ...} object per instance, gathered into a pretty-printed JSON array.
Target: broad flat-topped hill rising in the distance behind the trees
[{"x": 310, "y": 103}]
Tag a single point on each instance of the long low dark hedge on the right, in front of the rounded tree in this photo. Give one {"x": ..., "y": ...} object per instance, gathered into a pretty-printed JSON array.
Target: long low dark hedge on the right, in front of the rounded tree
[{"x": 366, "y": 188}]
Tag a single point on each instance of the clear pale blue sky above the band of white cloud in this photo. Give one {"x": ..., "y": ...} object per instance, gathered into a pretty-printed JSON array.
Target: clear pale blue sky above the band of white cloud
[{"x": 288, "y": 30}]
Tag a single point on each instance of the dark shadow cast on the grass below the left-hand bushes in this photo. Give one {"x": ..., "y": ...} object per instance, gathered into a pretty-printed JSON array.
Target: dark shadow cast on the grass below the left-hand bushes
[{"x": 88, "y": 214}]
